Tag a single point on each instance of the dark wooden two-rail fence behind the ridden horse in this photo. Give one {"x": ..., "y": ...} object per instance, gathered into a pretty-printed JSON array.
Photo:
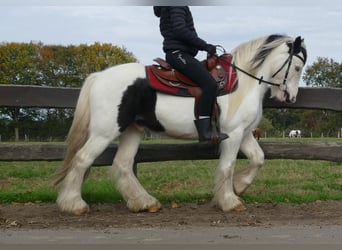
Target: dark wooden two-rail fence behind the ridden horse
[{"x": 49, "y": 97}]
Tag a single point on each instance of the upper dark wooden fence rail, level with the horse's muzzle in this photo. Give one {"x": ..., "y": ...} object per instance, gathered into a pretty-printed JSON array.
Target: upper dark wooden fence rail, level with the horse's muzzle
[{"x": 50, "y": 97}]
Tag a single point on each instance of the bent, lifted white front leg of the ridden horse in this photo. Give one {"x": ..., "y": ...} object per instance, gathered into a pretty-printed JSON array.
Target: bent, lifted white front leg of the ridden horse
[{"x": 254, "y": 153}]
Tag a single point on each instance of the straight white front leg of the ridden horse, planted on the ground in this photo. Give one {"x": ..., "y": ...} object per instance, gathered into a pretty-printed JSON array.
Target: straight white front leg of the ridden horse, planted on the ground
[{"x": 224, "y": 195}]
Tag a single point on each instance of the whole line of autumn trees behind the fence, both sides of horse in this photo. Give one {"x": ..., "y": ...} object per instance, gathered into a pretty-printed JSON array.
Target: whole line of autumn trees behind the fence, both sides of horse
[{"x": 67, "y": 66}]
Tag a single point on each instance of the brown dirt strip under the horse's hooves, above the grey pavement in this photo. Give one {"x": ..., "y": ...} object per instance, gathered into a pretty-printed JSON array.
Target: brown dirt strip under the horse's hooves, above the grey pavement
[{"x": 172, "y": 216}]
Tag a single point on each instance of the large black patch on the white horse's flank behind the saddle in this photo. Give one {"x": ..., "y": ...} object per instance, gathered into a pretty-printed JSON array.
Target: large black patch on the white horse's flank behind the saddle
[{"x": 138, "y": 106}]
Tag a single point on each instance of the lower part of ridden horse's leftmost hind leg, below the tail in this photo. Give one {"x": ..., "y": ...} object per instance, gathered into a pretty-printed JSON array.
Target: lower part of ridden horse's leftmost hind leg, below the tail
[{"x": 69, "y": 197}]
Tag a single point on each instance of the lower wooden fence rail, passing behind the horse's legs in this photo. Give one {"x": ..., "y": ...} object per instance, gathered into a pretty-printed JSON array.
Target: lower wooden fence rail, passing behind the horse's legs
[{"x": 329, "y": 151}]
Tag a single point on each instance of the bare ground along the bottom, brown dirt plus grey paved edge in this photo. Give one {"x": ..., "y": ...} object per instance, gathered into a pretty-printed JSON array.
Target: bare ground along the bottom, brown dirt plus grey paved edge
[{"x": 314, "y": 223}]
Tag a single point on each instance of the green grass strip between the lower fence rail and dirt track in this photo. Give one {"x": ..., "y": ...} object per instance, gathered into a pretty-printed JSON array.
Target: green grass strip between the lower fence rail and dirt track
[{"x": 295, "y": 181}]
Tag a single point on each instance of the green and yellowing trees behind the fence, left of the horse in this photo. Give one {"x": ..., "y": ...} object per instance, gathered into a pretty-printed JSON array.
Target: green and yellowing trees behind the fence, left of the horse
[{"x": 51, "y": 65}]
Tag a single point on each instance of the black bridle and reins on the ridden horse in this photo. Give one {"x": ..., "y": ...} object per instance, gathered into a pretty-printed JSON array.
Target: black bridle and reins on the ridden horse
[{"x": 287, "y": 62}]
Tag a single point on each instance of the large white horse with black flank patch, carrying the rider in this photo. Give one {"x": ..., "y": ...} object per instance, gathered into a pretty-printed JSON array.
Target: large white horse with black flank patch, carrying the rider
[{"x": 274, "y": 62}]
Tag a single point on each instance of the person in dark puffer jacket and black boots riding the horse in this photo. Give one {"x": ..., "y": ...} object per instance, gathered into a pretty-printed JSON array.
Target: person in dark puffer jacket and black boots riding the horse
[{"x": 181, "y": 44}]
